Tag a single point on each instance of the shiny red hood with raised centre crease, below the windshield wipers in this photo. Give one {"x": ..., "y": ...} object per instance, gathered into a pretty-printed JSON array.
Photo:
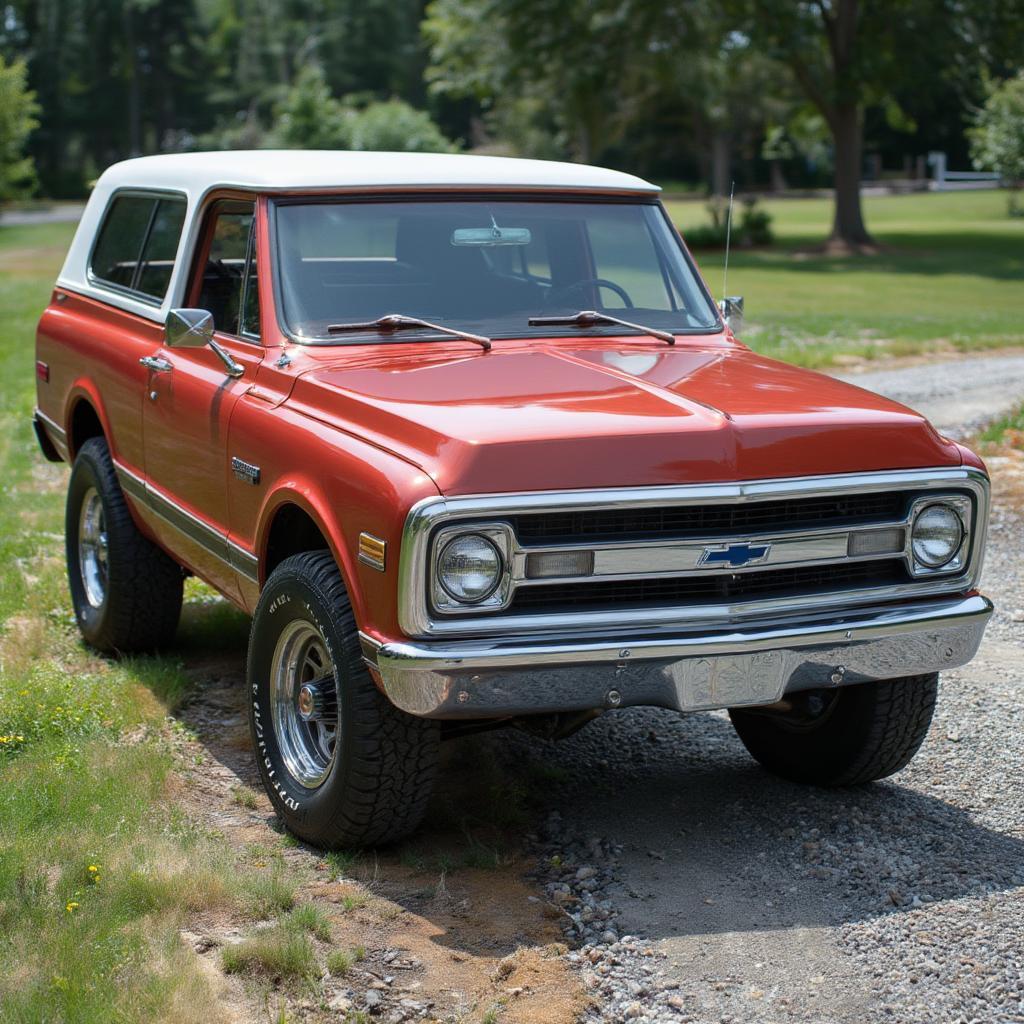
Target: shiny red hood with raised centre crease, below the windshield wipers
[{"x": 616, "y": 413}]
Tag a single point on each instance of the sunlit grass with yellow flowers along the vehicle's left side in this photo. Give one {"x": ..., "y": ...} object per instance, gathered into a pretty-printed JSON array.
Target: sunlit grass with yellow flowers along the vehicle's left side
[{"x": 99, "y": 866}]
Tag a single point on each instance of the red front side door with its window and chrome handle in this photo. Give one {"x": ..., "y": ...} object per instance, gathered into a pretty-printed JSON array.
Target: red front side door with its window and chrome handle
[{"x": 191, "y": 397}]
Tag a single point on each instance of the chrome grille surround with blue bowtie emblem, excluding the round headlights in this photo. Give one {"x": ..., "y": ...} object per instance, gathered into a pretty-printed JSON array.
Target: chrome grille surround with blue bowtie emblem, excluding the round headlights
[{"x": 690, "y": 554}]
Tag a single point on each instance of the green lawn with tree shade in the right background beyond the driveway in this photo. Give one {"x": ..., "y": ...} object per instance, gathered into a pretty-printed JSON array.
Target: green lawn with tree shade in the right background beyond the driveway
[{"x": 950, "y": 276}]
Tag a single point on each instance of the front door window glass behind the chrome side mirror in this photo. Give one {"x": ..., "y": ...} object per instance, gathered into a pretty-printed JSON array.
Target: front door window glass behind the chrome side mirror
[{"x": 229, "y": 276}]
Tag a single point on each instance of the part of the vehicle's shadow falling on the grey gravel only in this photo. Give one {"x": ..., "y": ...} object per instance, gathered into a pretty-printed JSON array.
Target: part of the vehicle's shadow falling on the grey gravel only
[{"x": 712, "y": 843}]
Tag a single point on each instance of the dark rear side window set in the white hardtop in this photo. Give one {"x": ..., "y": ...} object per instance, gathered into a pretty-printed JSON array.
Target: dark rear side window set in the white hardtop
[{"x": 138, "y": 243}]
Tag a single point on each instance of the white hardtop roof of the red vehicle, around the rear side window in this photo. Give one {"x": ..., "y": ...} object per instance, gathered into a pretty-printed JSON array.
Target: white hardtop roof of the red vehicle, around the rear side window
[{"x": 195, "y": 175}]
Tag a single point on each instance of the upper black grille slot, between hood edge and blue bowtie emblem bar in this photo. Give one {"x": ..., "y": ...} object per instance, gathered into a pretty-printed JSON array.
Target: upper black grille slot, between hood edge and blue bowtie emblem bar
[{"x": 708, "y": 521}]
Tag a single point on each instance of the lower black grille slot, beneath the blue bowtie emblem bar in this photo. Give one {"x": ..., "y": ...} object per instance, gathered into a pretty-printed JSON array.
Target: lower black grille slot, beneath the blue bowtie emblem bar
[{"x": 718, "y": 589}]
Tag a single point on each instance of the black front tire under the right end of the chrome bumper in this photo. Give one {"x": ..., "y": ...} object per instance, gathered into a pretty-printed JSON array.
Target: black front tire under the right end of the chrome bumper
[{"x": 848, "y": 737}]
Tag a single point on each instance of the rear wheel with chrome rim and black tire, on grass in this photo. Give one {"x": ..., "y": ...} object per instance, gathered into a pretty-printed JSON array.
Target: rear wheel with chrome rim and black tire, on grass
[{"x": 126, "y": 592}]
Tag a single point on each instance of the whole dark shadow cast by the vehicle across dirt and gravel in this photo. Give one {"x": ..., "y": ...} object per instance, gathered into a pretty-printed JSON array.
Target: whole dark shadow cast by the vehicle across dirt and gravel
[{"x": 710, "y": 843}]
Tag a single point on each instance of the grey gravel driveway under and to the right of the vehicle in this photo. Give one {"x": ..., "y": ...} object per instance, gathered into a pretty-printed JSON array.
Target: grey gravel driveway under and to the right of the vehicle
[{"x": 704, "y": 889}]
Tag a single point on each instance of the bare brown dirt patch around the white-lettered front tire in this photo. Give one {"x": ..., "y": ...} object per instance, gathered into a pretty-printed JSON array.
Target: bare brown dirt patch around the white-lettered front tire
[{"x": 447, "y": 926}]
